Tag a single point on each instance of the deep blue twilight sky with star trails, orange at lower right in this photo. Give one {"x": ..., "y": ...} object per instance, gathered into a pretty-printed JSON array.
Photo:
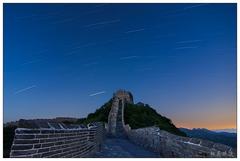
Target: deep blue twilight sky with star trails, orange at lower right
[{"x": 179, "y": 58}]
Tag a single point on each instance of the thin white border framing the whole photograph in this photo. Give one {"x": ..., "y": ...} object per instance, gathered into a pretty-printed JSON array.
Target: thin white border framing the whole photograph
[{"x": 105, "y": 1}]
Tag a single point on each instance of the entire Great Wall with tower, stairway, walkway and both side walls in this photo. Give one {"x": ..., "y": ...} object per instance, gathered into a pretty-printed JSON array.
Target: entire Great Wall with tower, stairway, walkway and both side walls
[{"x": 49, "y": 139}]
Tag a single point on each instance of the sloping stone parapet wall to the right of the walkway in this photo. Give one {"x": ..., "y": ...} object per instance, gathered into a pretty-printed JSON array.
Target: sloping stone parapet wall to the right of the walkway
[{"x": 170, "y": 146}]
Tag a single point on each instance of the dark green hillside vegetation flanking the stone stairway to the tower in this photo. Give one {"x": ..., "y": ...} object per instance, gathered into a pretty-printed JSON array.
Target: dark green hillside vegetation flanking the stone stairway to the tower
[{"x": 136, "y": 115}]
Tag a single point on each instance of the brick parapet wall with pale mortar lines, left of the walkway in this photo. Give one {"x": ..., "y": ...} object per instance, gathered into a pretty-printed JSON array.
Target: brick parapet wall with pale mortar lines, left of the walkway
[{"x": 68, "y": 143}]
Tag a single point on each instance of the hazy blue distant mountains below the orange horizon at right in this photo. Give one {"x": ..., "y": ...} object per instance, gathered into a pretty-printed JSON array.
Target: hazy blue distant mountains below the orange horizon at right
[{"x": 226, "y": 138}]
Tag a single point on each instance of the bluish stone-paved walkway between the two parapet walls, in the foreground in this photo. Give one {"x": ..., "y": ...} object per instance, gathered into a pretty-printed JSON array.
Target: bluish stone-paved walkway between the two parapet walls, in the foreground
[{"x": 123, "y": 148}]
